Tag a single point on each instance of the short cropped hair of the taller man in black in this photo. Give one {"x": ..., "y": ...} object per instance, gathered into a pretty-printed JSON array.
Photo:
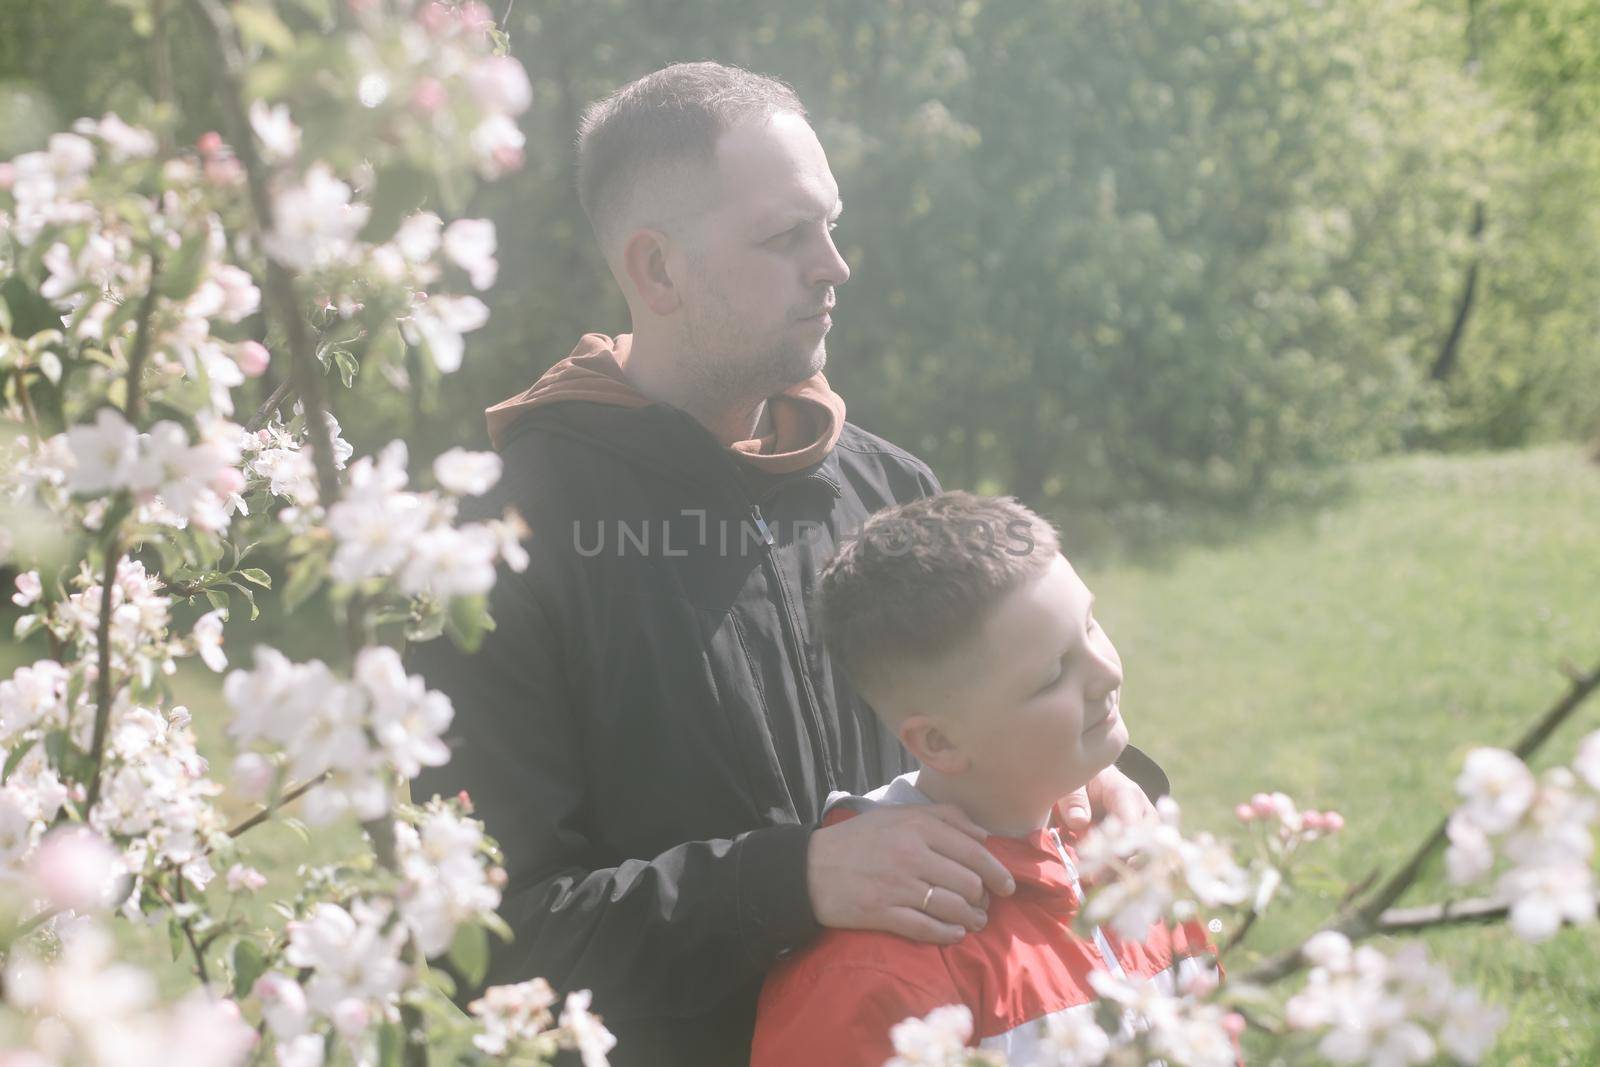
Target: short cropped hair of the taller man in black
[{"x": 663, "y": 122}]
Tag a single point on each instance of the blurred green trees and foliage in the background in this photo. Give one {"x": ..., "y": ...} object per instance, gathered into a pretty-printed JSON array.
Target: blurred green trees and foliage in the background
[{"x": 1126, "y": 260}]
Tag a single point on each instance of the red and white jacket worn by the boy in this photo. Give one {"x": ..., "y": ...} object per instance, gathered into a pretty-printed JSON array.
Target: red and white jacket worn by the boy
[{"x": 834, "y": 1004}]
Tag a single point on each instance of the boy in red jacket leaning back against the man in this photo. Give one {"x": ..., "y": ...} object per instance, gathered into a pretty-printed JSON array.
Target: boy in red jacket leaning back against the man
[{"x": 972, "y": 636}]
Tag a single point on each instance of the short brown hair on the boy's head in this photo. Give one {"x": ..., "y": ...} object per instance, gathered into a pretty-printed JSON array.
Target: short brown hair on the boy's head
[{"x": 922, "y": 578}]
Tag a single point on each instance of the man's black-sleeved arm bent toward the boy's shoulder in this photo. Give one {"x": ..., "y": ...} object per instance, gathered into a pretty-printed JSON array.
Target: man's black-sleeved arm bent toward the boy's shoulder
[{"x": 671, "y": 935}]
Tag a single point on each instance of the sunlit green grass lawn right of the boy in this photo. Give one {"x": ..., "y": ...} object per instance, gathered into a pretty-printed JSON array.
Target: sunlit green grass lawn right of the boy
[{"x": 1351, "y": 658}]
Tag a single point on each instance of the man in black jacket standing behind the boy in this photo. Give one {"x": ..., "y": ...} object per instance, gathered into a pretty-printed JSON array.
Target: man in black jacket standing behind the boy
[{"x": 654, "y": 727}]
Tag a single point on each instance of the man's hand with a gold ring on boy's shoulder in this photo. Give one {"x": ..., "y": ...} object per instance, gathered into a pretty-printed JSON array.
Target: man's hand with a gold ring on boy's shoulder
[{"x": 874, "y": 873}]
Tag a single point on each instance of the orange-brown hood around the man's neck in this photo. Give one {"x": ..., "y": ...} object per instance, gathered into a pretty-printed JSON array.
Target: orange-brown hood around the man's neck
[{"x": 806, "y": 418}]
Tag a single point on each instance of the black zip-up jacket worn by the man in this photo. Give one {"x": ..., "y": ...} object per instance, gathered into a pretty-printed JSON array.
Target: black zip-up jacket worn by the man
[{"x": 654, "y": 725}]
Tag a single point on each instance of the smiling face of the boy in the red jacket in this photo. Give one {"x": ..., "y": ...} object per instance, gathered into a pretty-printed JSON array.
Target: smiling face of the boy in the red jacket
[{"x": 1031, "y": 700}]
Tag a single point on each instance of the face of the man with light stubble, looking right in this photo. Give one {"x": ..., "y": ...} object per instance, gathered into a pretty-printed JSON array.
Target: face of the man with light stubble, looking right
[{"x": 762, "y": 265}]
